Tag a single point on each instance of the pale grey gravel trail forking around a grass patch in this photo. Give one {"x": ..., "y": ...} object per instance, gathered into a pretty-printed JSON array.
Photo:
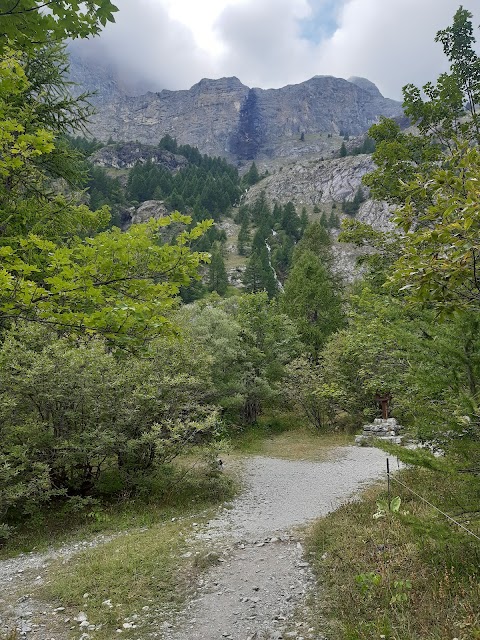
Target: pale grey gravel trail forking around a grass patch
[{"x": 261, "y": 575}]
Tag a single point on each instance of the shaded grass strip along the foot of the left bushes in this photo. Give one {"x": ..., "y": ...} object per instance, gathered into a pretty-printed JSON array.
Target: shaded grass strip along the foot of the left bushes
[{"x": 176, "y": 491}]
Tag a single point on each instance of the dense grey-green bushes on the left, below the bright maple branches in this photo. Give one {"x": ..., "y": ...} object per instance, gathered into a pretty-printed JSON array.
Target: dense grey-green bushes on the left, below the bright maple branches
[{"x": 76, "y": 419}]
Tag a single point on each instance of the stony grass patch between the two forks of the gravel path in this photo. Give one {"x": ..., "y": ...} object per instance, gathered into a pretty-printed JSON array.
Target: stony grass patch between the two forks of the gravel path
[{"x": 140, "y": 578}]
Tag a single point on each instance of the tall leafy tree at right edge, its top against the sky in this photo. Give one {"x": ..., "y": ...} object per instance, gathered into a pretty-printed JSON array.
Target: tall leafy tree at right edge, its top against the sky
[{"x": 432, "y": 178}]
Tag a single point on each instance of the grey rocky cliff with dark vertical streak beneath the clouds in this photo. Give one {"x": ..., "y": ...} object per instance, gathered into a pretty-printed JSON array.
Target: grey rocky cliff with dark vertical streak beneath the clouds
[{"x": 226, "y": 118}]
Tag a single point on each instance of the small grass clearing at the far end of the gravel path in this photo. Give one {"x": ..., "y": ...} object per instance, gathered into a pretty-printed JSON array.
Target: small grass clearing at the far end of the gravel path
[{"x": 285, "y": 436}]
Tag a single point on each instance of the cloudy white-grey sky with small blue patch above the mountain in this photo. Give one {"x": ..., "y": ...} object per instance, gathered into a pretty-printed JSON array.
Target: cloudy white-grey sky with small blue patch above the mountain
[{"x": 172, "y": 44}]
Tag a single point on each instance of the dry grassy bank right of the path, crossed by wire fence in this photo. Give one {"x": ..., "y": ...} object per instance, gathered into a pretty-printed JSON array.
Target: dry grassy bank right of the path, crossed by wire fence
[{"x": 405, "y": 576}]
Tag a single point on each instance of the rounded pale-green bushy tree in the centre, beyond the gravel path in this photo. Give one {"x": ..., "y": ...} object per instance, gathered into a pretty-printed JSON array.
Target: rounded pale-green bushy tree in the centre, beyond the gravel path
[{"x": 250, "y": 342}]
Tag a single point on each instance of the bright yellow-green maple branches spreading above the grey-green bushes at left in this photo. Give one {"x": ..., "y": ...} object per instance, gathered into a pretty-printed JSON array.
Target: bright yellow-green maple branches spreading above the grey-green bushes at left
[{"x": 117, "y": 284}]
